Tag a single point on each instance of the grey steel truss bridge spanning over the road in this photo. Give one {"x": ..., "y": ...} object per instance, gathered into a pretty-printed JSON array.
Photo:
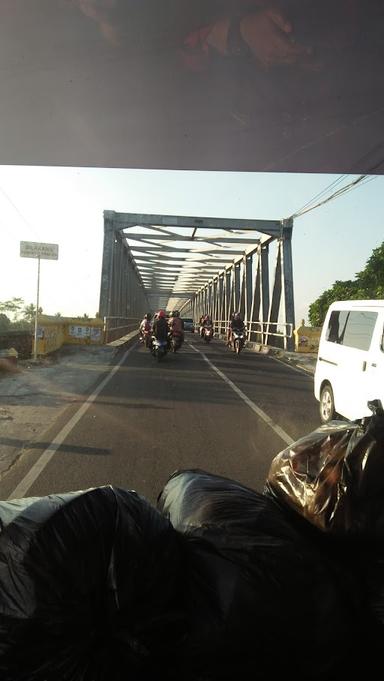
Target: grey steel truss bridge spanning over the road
[{"x": 198, "y": 265}]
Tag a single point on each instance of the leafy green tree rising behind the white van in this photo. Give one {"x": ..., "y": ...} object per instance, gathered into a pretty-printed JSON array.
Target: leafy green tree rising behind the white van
[{"x": 369, "y": 283}]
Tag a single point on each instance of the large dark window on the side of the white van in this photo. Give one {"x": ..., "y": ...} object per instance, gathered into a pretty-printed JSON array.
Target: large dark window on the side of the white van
[{"x": 353, "y": 328}]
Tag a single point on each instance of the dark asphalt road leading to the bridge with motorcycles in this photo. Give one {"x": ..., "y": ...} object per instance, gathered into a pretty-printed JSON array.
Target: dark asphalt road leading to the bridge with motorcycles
[{"x": 153, "y": 418}]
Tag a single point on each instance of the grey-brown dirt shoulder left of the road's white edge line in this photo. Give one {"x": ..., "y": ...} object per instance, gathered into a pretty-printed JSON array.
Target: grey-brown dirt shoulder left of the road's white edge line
[{"x": 35, "y": 394}]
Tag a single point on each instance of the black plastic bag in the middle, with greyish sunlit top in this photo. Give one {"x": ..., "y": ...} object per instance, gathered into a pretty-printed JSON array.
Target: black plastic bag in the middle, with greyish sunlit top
[{"x": 263, "y": 598}]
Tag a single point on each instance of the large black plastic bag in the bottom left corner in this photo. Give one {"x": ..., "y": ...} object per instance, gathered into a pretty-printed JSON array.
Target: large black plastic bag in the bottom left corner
[{"x": 87, "y": 588}]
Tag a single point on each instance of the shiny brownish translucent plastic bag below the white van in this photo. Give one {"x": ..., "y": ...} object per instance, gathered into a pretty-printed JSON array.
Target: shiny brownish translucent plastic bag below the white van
[{"x": 334, "y": 477}]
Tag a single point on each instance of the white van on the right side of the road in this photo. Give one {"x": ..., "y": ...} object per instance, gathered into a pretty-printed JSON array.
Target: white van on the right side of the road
[{"x": 350, "y": 363}]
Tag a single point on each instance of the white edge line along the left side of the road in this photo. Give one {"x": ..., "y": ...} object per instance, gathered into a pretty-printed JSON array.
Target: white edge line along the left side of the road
[{"x": 32, "y": 475}]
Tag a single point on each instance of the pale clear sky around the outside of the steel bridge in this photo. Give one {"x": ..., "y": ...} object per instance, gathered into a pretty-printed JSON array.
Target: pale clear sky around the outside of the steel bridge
[{"x": 65, "y": 206}]
